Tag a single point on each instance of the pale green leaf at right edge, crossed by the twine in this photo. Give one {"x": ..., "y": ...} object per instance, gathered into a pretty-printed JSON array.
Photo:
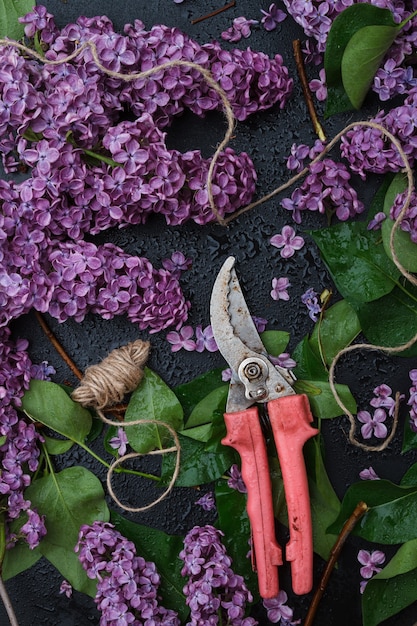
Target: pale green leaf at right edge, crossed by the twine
[{"x": 405, "y": 249}]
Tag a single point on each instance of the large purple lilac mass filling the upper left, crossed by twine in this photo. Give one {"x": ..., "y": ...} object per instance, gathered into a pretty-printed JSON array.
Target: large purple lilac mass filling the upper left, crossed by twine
[{"x": 92, "y": 167}]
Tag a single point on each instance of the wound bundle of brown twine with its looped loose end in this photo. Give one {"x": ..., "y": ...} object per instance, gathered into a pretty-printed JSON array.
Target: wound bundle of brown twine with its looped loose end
[{"x": 106, "y": 384}]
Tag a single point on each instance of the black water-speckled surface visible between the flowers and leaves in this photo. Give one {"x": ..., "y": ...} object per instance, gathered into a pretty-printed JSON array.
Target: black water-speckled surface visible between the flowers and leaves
[{"x": 267, "y": 137}]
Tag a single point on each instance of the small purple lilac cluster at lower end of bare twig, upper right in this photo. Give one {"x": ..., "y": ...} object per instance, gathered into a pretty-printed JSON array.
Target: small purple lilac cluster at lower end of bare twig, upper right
[{"x": 325, "y": 189}]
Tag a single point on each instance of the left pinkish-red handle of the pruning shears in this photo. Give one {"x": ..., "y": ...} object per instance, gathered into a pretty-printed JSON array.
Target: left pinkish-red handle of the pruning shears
[{"x": 245, "y": 435}]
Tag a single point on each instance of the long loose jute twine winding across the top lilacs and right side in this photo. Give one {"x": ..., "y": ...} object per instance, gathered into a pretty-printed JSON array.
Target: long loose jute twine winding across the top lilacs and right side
[{"x": 230, "y": 119}]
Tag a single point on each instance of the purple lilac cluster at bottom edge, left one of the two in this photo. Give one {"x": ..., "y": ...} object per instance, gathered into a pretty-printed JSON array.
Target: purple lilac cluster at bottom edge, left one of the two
[{"x": 127, "y": 585}]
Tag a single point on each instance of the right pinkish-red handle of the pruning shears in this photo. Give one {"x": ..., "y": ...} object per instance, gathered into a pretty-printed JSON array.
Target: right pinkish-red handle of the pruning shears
[{"x": 290, "y": 418}]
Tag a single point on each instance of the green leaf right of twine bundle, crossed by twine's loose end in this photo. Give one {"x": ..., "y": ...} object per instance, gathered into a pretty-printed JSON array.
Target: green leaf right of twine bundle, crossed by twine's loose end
[{"x": 152, "y": 400}]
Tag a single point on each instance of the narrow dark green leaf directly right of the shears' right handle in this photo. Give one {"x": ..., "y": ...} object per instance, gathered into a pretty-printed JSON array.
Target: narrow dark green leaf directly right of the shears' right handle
[{"x": 325, "y": 505}]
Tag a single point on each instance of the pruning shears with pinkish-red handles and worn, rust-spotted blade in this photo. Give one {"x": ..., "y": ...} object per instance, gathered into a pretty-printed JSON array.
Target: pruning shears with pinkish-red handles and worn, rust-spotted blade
[{"x": 255, "y": 379}]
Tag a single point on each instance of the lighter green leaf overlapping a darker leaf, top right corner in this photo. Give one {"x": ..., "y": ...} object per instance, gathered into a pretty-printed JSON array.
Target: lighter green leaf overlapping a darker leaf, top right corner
[{"x": 362, "y": 57}]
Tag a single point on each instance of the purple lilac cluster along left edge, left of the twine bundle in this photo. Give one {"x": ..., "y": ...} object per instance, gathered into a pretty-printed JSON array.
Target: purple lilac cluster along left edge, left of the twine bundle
[{"x": 19, "y": 451}]
